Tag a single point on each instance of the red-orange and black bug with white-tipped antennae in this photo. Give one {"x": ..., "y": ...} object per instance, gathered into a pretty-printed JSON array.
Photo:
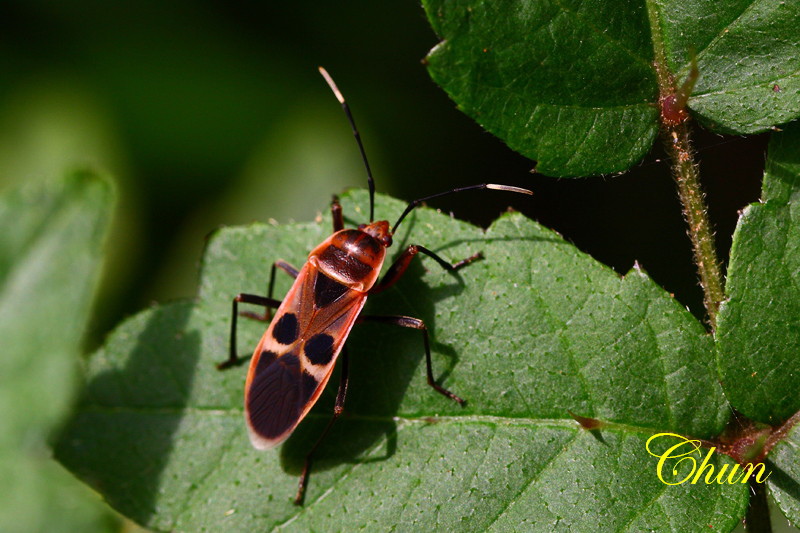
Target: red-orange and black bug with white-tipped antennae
[{"x": 296, "y": 355}]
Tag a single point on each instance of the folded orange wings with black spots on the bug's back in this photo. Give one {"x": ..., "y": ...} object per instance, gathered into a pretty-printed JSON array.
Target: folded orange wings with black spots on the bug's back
[{"x": 295, "y": 358}]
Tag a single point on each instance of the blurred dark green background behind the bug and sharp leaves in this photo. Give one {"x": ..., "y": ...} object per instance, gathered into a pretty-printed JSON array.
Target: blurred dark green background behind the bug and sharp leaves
[{"x": 210, "y": 113}]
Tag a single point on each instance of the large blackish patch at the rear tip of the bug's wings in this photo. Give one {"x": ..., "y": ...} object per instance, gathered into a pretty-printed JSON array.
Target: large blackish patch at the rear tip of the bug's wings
[{"x": 277, "y": 395}]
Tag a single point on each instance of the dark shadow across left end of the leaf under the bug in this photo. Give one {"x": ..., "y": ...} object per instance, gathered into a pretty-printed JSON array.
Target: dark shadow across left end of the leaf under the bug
[{"x": 121, "y": 437}]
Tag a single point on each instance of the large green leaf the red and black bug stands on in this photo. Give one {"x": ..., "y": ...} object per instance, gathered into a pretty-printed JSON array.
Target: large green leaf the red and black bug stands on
[{"x": 534, "y": 330}]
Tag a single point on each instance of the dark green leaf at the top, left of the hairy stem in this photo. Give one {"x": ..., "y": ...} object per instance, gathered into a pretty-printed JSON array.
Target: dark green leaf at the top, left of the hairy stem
[{"x": 536, "y": 74}]
